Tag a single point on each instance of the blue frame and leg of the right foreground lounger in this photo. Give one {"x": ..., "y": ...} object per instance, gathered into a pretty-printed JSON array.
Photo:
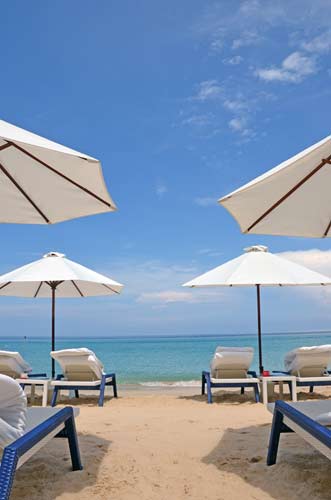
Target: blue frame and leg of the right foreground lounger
[{"x": 282, "y": 409}]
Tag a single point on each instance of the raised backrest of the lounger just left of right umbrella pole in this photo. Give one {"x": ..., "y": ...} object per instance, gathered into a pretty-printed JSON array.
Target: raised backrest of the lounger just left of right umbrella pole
[{"x": 231, "y": 362}]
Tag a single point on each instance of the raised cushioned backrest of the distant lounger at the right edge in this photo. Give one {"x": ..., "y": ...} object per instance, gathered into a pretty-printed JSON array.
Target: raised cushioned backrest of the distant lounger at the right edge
[{"x": 308, "y": 361}]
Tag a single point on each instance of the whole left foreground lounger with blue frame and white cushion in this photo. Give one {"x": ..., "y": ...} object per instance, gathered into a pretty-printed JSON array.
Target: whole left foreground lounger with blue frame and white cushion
[{"x": 23, "y": 431}]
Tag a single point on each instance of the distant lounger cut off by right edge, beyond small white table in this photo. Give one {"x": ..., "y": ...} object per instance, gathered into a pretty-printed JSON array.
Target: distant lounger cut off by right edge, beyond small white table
[{"x": 309, "y": 365}]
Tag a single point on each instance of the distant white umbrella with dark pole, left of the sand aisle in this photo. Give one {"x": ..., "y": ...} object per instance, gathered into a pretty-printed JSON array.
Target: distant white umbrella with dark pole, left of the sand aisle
[{"x": 55, "y": 276}]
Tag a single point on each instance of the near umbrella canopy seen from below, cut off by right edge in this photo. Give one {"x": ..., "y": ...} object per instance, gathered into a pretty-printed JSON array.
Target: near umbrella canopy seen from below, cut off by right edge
[{"x": 292, "y": 199}]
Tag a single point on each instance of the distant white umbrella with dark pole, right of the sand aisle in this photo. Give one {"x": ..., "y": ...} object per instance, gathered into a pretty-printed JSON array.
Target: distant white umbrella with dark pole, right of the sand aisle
[{"x": 257, "y": 267}]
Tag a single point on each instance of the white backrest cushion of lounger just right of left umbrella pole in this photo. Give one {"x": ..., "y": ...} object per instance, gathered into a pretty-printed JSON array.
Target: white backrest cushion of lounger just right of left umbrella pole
[{"x": 68, "y": 359}]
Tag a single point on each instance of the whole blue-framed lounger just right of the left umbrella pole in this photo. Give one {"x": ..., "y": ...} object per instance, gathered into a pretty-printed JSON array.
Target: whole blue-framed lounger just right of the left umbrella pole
[{"x": 82, "y": 370}]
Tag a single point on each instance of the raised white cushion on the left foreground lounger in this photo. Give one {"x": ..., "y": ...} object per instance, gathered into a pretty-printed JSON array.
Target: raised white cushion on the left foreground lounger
[{"x": 12, "y": 410}]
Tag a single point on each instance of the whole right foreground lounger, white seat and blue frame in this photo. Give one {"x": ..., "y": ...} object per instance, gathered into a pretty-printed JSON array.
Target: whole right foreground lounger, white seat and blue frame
[{"x": 309, "y": 419}]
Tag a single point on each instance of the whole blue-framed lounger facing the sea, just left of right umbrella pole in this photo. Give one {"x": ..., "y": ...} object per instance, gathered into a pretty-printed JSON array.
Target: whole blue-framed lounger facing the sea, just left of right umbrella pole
[{"x": 230, "y": 368}]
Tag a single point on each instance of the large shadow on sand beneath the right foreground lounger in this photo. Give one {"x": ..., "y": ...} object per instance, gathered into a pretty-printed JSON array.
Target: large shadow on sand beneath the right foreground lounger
[{"x": 300, "y": 473}]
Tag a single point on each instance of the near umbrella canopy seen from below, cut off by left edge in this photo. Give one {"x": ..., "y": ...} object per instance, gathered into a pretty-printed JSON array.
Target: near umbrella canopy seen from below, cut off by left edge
[{"x": 42, "y": 182}]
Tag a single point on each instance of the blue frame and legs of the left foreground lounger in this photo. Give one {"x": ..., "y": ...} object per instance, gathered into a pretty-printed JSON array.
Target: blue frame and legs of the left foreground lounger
[{"x": 13, "y": 452}]
